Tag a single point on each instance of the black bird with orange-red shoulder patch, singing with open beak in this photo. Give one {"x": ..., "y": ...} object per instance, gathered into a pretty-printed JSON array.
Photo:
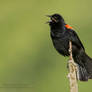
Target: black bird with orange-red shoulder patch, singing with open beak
[{"x": 61, "y": 33}]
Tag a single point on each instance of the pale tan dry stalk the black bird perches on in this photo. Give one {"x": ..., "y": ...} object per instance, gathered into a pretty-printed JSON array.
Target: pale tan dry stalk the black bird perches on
[{"x": 72, "y": 71}]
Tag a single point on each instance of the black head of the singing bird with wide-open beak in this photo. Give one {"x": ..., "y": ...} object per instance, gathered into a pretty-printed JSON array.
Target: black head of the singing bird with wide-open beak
[{"x": 55, "y": 19}]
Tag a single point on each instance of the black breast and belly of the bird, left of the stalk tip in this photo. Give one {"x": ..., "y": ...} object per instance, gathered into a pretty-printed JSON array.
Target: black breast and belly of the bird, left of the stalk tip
[{"x": 60, "y": 42}]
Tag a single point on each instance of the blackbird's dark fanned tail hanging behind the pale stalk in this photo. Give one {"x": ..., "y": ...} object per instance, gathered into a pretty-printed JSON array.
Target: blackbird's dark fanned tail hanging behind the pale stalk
[{"x": 84, "y": 65}]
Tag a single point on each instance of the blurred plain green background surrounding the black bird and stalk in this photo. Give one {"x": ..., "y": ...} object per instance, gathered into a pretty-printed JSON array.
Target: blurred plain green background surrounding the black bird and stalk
[{"x": 28, "y": 61}]
